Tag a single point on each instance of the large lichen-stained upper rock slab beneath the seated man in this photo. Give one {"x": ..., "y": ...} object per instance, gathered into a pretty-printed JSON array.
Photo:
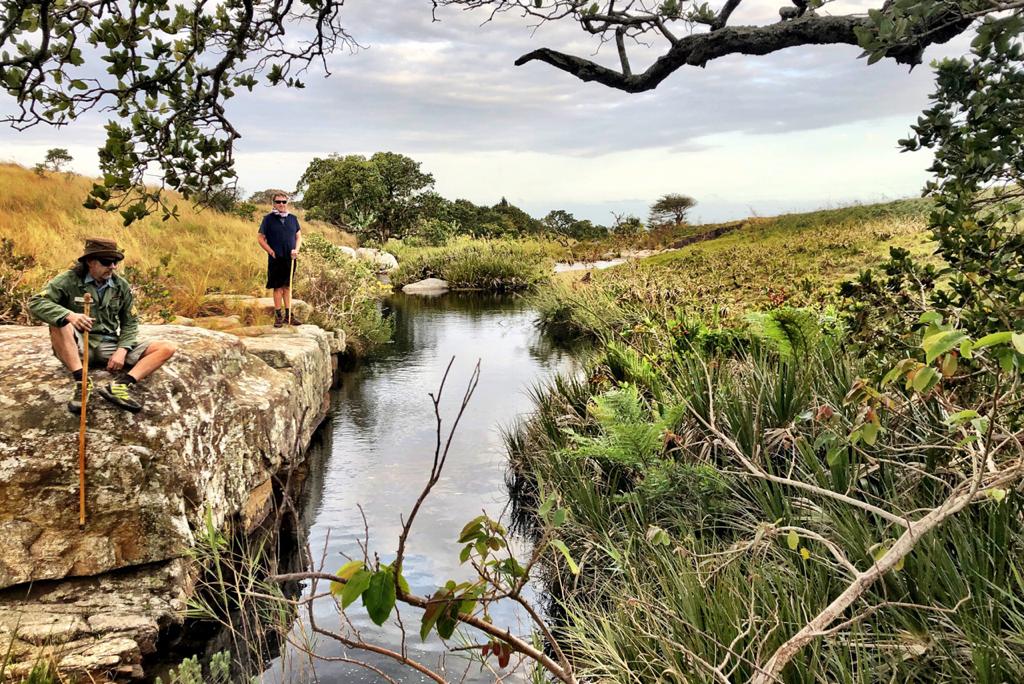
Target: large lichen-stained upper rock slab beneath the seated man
[{"x": 219, "y": 422}]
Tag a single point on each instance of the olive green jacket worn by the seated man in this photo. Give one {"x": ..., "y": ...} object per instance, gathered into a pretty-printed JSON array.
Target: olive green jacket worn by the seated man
[{"x": 113, "y": 317}]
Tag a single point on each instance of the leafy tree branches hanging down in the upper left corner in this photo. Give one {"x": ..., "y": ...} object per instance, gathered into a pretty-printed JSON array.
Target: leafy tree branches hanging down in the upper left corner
[{"x": 168, "y": 70}]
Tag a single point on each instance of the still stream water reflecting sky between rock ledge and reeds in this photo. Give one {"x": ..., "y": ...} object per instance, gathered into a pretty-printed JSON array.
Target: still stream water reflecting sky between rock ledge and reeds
[{"x": 381, "y": 437}]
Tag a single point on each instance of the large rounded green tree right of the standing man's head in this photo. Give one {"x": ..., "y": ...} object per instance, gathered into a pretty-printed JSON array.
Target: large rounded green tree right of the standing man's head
[{"x": 378, "y": 198}]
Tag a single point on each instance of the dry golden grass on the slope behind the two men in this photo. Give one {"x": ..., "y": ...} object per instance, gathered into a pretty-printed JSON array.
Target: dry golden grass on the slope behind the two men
[{"x": 205, "y": 250}]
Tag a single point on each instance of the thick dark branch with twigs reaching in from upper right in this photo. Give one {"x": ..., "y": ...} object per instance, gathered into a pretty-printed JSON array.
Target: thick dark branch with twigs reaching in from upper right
[{"x": 711, "y": 37}]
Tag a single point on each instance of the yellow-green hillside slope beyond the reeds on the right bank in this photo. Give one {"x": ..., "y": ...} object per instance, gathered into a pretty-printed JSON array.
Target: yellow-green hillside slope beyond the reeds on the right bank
[{"x": 794, "y": 260}]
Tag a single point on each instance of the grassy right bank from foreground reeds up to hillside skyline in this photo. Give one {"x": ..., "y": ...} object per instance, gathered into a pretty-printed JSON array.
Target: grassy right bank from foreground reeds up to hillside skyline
[{"x": 690, "y": 564}]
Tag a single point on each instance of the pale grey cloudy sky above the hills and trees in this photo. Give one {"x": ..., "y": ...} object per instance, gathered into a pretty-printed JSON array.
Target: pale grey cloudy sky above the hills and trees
[{"x": 803, "y": 129}]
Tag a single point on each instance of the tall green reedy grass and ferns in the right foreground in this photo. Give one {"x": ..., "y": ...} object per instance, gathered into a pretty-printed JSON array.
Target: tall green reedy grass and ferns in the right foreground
[{"x": 724, "y": 583}]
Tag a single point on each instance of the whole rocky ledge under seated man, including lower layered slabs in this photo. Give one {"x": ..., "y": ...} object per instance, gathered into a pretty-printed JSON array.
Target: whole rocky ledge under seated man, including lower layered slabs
[{"x": 222, "y": 419}]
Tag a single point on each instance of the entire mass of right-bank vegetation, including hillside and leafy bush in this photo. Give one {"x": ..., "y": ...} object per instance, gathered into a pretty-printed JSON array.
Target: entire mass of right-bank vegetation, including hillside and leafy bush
[{"x": 808, "y": 498}]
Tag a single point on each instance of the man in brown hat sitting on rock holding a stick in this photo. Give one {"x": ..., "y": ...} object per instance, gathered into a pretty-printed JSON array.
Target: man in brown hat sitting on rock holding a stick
[{"x": 113, "y": 325}]
